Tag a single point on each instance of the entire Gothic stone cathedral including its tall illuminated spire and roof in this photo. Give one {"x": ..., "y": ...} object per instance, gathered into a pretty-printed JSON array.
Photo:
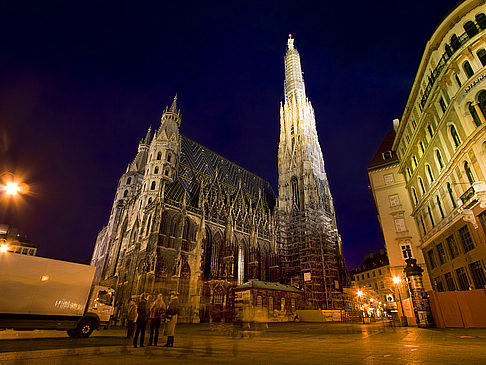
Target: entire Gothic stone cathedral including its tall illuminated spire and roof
[{"x": 187, "y": 219}]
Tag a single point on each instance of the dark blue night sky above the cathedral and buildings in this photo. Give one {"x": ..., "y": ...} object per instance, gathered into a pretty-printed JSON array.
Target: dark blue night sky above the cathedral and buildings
[{"x": 81, "y": 82}]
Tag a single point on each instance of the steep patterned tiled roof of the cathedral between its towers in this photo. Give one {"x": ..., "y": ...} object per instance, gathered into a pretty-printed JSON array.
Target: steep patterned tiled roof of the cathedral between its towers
[{"x": 199, "y": 163}]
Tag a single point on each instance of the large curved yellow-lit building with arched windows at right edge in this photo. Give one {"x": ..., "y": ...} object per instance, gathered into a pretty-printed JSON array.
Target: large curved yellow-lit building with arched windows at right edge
[{"x": 441, "y": 147}]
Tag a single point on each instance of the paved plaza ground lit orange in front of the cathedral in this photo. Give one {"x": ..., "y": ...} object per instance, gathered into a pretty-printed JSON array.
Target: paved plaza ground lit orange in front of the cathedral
[{"x": 280, "y": 343}]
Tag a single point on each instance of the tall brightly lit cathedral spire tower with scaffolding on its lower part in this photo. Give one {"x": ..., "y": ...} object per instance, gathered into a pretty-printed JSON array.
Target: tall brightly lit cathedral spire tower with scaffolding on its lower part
[{"x": 312, "y": 256}]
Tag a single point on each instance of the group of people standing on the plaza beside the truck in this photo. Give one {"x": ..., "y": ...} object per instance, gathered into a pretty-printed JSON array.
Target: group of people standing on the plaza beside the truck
[{"x": 155, "y": 313}]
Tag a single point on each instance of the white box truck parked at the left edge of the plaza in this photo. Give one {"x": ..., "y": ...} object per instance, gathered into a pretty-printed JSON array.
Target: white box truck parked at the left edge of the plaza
[{"x": 41, "y": 293}]
